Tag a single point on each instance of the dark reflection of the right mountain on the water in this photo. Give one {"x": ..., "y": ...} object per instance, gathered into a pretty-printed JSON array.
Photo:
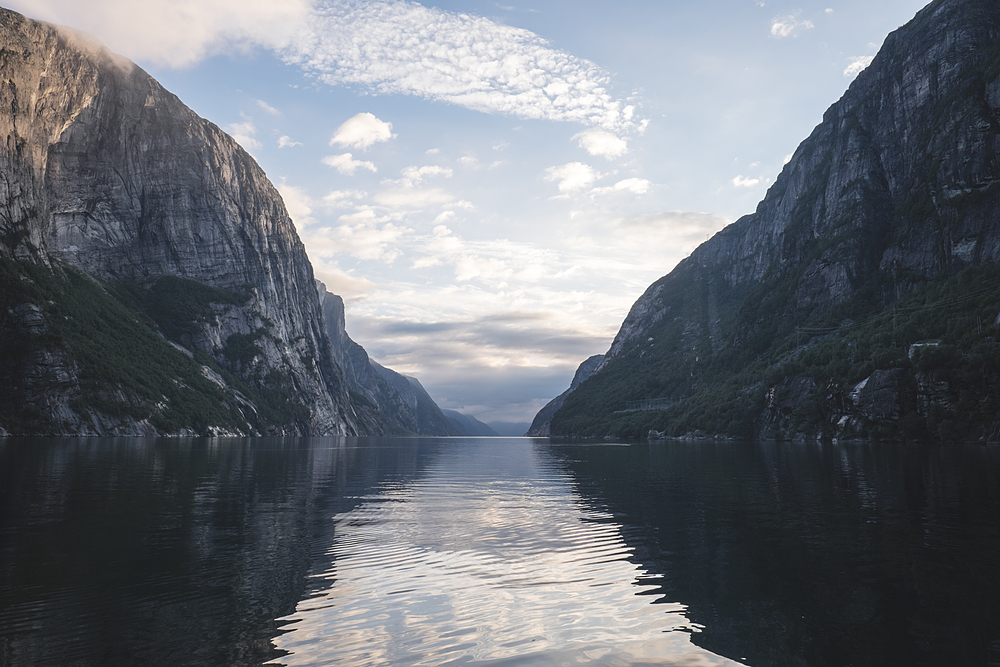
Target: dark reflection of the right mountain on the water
[{"x": 815, "y": 555}]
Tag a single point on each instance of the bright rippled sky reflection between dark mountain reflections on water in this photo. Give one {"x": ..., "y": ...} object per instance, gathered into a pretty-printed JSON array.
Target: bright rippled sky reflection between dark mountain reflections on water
[{"x": 489, "y": 557}]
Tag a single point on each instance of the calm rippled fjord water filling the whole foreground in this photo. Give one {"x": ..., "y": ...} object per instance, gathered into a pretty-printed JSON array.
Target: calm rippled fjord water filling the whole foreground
[{"x": 496, "y": 552}]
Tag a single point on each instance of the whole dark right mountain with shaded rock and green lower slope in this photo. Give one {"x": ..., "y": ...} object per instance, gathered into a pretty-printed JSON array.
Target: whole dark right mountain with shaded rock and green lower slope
[{"x": 860, "y": 299}]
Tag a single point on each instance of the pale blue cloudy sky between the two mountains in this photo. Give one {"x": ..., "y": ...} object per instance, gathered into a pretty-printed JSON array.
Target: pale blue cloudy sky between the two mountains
[{"x": 491, "y": 186}]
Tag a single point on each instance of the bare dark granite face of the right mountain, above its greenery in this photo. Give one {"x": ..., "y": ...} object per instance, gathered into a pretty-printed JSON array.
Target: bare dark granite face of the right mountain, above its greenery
[{"x": 897, "y": 187}]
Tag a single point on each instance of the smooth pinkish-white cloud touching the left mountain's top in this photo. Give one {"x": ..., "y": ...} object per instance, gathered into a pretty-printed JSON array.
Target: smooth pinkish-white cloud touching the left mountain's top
[{"x": 176, "y": 33}]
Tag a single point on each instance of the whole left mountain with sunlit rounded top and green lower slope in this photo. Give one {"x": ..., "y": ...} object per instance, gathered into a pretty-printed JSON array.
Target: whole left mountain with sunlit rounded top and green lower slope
[{"x": 151, "y": 280}]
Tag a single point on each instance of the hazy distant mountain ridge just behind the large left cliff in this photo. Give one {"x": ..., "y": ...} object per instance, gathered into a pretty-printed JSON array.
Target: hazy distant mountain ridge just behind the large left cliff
[{"x": 386, "y": 402}]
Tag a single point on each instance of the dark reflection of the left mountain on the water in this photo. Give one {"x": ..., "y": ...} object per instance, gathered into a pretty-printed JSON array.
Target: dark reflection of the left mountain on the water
[{"x": 168, "y": 552}]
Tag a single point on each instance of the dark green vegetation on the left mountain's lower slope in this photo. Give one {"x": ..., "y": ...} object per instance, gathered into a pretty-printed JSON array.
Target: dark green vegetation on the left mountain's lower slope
[{"x": 124, "y": 368}]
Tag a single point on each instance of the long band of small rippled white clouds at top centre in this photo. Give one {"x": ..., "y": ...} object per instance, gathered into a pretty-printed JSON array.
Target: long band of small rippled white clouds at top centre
[{"x": 396, "y": 47}]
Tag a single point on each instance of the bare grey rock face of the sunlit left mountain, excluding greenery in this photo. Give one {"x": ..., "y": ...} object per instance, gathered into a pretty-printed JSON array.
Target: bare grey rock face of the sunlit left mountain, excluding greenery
[{"x": 105, "y": 171}]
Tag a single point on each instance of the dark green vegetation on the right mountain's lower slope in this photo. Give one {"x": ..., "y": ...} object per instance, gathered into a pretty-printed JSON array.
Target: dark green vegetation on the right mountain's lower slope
[{"x": 725, "y": 393}]
